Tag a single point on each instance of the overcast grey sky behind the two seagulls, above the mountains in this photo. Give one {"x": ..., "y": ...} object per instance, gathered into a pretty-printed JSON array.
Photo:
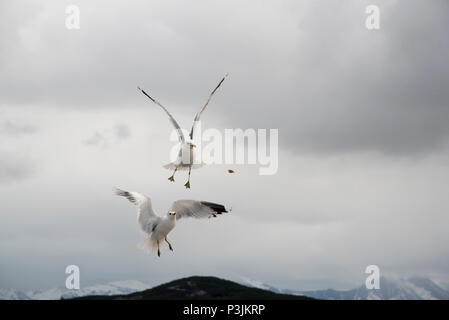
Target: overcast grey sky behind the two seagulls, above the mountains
[{"x": 363, "y": 133}]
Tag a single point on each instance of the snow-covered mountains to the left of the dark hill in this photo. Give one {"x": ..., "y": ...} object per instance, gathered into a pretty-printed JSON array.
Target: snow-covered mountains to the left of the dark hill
[{"x": 112, "y": 288}]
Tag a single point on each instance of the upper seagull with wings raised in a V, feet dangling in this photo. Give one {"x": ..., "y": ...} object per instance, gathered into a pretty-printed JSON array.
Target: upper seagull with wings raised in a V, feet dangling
[{"x": 186, "y": 156}]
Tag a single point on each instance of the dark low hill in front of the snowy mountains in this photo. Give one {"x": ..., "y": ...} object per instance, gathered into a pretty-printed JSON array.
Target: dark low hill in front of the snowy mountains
[{"x": 200, "y": 288}]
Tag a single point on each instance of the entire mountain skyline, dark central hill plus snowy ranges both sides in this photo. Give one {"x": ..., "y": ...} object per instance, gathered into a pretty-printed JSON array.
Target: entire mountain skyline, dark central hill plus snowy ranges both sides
[{"x": 415, "y": 288}]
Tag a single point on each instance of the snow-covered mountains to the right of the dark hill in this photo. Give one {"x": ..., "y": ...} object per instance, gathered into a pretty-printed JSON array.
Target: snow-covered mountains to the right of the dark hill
[{"x": 415, "y": 288}]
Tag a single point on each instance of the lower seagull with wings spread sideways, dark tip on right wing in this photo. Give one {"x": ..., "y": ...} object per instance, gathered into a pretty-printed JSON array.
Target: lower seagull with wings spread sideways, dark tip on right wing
[{"x": 157, "y": 228}]
